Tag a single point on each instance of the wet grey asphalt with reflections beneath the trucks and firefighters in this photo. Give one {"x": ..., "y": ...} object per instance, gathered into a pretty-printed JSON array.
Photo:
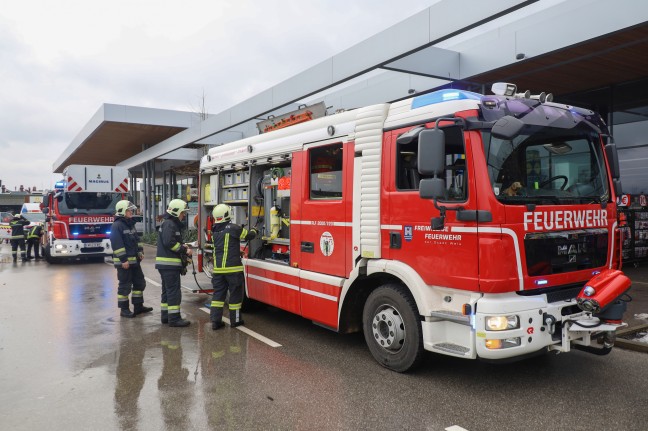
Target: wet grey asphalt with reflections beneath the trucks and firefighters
[{"x": 68, "y": 362}]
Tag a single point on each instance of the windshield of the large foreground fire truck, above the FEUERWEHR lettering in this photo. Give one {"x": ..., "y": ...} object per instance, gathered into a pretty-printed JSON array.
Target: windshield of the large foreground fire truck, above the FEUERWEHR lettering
[{"x": 548, "y": 165}]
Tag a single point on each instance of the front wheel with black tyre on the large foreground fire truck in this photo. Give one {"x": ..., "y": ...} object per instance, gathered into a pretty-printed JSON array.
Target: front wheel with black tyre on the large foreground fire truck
[{"x": 392, "y": 328}]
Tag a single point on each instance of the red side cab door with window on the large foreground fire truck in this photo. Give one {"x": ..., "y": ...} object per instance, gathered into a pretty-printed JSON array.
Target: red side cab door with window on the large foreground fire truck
[{"x": 446, "y": 257}]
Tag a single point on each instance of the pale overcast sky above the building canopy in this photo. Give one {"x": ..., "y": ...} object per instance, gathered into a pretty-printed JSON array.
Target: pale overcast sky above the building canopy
[{"x": 61, "y": 60}]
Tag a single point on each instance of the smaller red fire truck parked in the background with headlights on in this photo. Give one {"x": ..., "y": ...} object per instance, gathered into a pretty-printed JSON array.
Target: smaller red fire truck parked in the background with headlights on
[{"x": 80, "y": 211}]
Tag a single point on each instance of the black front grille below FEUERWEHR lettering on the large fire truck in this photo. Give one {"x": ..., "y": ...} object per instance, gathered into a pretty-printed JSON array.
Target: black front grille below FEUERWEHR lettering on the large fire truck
[{"x": 560, "y": 252}]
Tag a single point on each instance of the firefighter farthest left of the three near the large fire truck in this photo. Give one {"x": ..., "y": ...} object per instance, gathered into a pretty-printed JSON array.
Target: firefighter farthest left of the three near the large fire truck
[{"x": 128, "y": 252}]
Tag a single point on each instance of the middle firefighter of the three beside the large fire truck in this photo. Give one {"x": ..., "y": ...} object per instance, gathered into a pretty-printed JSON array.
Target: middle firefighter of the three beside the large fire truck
[{"x": 169, "y": 261}]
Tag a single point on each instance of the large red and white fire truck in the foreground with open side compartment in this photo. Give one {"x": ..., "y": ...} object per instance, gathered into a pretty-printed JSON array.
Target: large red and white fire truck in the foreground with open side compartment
[{"x": 476, "y": 226}]
